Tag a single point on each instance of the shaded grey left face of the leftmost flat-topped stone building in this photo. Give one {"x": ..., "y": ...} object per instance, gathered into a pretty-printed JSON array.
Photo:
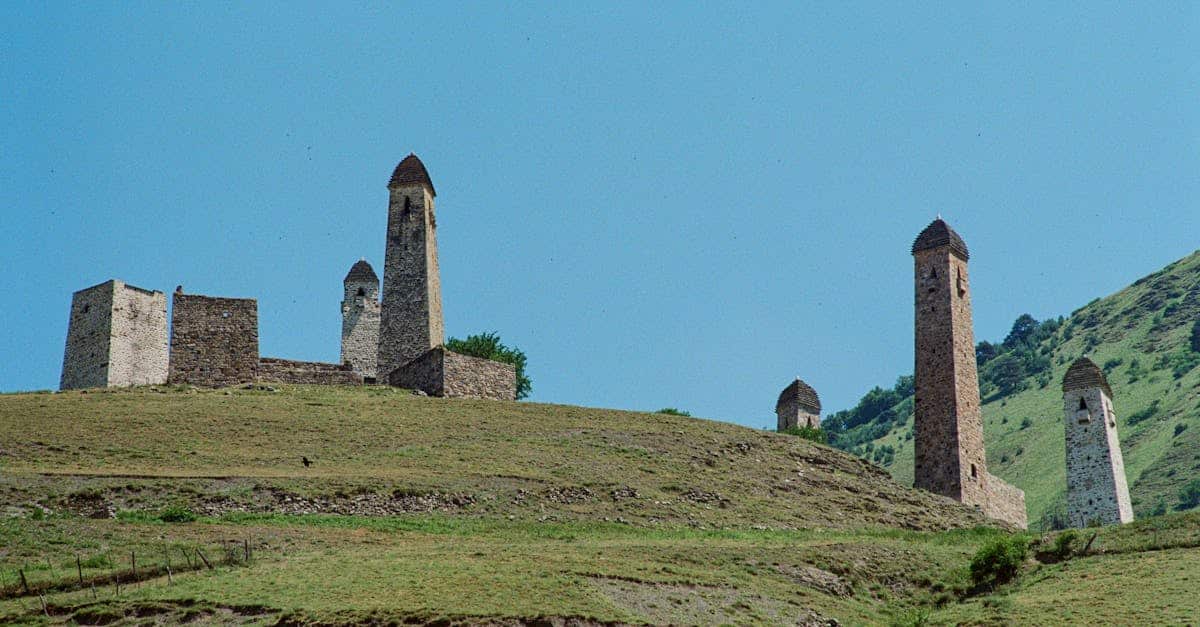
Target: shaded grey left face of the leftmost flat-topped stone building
[{"x": 89, "y": 336}]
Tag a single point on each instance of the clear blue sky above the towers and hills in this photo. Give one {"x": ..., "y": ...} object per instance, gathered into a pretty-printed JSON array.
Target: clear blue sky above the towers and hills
[{"x": 686, "y": 205}]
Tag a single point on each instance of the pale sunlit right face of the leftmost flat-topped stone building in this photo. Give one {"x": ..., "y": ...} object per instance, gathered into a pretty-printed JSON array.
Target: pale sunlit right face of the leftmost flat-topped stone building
[{"x": 140, "y": 345}]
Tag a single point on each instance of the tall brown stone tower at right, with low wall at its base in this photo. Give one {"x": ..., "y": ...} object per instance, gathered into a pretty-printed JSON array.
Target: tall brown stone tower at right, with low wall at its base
[{"x": 950, "y": 451}]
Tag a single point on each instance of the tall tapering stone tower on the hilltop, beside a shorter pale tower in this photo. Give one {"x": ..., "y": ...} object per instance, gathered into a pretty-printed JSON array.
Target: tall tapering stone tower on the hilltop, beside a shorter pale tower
[{"x": 412, "y": 288}]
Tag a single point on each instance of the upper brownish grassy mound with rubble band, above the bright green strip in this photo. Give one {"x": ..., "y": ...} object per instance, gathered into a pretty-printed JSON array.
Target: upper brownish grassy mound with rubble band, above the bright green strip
[{"x": 381, "y": 451}]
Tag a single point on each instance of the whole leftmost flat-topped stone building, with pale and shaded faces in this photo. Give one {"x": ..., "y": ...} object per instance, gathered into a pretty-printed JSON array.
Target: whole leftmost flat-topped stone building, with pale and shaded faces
[{"x": 117, "y": 337}]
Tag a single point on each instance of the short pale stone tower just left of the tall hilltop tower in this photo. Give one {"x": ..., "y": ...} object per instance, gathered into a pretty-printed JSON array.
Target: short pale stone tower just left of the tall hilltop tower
[{"x": 361, "y": 320}]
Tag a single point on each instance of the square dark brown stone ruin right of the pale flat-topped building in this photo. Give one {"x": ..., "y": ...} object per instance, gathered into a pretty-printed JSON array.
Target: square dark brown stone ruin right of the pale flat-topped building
[{"x": 214, "y": 342}]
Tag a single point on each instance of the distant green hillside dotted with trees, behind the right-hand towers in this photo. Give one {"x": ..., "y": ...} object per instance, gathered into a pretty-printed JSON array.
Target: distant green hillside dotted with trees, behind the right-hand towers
[{"x": 1143, "y": 337}]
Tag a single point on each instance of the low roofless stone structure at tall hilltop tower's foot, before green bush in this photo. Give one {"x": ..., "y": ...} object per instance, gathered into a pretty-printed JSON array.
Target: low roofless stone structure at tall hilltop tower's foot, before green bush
[{"x": 441, "y": 373}]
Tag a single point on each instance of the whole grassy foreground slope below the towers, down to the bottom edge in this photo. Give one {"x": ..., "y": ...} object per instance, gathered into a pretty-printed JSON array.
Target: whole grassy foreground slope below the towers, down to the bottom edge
[{"x": 166, "y": 506}]
